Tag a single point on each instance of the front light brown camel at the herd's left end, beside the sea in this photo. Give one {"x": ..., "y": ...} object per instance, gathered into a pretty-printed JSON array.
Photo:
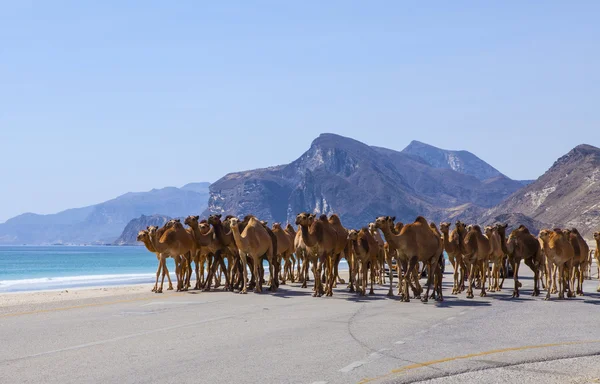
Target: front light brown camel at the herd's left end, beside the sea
[{"x": 174, "y": 241}]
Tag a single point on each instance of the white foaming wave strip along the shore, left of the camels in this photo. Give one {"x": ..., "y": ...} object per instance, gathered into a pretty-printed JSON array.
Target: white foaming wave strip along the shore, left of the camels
[{"x": 50, "y": 283}]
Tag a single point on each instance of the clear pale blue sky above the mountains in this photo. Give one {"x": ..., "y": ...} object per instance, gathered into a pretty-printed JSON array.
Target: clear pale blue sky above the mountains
[{"x": 101, "y": 98}]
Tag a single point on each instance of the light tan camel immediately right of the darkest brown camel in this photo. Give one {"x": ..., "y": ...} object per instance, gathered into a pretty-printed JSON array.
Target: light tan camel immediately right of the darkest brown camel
[{"x": 559, "y": 252}]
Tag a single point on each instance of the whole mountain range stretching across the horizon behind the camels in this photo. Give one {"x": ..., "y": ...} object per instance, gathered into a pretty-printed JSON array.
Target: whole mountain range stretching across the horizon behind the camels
[{"x": 358, "y": 182}]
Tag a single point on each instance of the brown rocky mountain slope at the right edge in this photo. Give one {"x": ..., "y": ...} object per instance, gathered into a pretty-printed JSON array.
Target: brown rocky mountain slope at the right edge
[{"x": 567, "y": 195}]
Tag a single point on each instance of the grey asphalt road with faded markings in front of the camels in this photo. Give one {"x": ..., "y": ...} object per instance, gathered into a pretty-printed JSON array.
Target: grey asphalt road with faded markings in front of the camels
[{"x": 291, "y": 337}]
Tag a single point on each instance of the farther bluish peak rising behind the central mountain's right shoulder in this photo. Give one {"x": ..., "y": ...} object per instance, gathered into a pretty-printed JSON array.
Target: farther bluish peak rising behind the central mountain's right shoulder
[{"x": 459, "y": 161}]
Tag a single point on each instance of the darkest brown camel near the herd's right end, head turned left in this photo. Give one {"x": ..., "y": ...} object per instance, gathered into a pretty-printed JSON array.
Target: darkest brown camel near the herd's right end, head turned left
[{"x": 522, "y": 245}]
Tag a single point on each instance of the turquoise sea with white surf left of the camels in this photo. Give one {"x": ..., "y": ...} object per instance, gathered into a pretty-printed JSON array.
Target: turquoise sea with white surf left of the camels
[{"x": 37, "y": 268}]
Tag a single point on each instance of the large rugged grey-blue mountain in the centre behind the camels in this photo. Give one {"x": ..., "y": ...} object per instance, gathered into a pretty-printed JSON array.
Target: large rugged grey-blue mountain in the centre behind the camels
[{"x": 359, "y": 182}]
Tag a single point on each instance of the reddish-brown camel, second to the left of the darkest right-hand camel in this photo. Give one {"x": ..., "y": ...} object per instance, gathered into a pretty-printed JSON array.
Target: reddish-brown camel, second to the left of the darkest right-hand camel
[{"x": 476, "y": 254}]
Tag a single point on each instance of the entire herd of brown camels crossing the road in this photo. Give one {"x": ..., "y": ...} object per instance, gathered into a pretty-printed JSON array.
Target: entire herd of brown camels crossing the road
[{"x": 560, "y": 259}]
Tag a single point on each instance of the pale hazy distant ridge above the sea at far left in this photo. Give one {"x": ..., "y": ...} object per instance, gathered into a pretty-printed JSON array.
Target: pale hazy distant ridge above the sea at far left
[{"x": 102, "y": 223}]
